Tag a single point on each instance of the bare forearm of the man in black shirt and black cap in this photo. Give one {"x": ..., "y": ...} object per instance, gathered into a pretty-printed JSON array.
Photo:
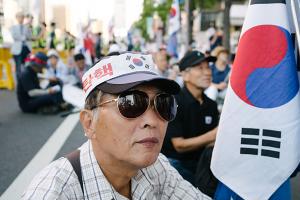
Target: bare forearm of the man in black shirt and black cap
[{"x": 182, "y": 145}]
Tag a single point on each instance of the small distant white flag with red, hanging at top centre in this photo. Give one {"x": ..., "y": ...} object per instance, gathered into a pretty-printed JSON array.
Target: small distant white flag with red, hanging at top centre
[{"x": 174, "y": 18}]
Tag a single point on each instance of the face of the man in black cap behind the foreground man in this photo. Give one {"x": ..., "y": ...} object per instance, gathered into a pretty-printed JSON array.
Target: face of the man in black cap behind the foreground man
[{"x": 198, "y": 76}]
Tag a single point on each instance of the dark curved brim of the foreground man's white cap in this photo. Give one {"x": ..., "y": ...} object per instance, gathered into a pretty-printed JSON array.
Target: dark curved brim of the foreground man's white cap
[{"x": 123, "y": 83}]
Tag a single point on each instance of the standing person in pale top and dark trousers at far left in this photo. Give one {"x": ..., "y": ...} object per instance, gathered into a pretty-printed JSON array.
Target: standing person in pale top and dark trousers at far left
[{"x": 21, "y": 46}]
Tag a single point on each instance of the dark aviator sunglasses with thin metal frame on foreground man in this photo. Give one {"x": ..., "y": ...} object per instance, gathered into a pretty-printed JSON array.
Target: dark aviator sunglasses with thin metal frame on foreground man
[{"x": 133, "y": 104}]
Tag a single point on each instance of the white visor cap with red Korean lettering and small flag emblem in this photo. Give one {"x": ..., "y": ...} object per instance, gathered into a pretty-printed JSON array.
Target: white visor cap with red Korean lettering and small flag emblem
[{"x": 121, "y": 72}]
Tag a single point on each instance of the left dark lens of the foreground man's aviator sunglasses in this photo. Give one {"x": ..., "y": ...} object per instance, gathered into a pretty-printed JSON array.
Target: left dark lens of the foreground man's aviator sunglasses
[{"x": 133, "y": 104}]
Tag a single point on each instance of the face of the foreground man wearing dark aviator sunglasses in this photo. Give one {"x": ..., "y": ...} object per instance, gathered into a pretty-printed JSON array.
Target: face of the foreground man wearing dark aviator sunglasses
[{"x": 133, "y": 142}]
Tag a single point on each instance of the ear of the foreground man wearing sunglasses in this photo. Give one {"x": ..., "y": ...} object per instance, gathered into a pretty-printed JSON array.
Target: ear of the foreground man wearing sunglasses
[{"x": 86, "y": 120}]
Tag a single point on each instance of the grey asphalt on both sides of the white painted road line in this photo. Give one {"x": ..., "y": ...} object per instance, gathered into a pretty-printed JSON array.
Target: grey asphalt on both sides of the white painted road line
[{"x": 23, "y": 135}]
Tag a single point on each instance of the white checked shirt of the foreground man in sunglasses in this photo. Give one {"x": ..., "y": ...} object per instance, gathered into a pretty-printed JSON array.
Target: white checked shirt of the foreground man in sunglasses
[{"x": 158, "y": 181}]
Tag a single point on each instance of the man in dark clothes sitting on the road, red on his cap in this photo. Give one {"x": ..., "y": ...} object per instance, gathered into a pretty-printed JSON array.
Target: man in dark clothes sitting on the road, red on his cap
[{"x": 31, "y": 96}]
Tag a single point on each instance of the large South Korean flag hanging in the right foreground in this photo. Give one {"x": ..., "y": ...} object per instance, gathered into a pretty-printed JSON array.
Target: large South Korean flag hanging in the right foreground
[{"x": 258, "y": 139}]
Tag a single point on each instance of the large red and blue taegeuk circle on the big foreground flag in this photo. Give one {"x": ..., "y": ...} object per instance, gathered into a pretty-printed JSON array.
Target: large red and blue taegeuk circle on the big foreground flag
[{"x": 264, "y": 72}]
